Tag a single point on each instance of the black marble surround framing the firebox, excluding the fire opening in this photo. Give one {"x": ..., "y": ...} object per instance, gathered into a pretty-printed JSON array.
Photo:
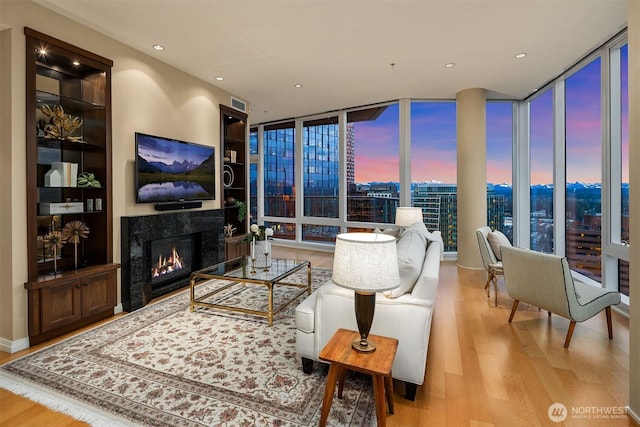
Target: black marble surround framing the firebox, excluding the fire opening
[{"x": 207, "y": 227}]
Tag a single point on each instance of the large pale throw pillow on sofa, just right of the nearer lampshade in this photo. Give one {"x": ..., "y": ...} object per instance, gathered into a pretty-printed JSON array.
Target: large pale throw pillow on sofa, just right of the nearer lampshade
[{"x": 411, "y": 252}]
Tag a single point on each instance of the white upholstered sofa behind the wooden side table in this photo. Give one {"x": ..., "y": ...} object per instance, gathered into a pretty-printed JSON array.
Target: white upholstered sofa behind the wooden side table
[{"x": 406, "y": 317}]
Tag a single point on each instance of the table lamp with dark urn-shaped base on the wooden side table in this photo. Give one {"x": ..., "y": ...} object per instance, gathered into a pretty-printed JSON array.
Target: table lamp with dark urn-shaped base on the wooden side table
[{"x": 366, "y": 263}]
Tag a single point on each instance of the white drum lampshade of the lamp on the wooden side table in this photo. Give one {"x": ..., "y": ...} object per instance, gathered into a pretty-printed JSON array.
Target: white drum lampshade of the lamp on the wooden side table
[{"x": 366, "y": 262}]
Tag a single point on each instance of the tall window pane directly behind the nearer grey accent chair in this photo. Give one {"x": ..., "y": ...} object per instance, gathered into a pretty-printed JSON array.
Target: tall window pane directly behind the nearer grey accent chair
[{"x": 583, "y": 170}]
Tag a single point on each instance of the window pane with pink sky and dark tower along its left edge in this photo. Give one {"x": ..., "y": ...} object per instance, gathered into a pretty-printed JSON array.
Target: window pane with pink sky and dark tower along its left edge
[{"x": 373, "y": 168}]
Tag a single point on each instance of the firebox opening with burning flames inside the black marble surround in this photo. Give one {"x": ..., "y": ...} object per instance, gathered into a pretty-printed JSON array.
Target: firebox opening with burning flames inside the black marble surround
[{"x": 171, "y": 259}]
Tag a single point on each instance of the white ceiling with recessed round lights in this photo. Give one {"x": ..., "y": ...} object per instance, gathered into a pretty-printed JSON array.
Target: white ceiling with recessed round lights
[{"x": 341, "y": 51}]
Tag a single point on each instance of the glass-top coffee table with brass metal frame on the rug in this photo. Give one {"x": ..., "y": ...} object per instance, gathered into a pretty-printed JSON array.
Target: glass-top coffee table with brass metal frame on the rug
[{"x": 239, "y": 272}]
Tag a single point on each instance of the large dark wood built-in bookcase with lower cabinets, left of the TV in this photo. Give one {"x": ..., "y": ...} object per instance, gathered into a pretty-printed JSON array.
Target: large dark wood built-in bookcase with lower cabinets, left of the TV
[{"x": 68, "y": 135}]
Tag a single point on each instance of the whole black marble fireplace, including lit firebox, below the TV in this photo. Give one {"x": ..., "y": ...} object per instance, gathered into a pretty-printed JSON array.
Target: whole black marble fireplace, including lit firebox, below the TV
[{"x": 157, "y": 243}]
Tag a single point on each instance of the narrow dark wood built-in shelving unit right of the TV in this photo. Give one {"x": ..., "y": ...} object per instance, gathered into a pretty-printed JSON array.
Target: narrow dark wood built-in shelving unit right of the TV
[{"x": 235, "y": 189}]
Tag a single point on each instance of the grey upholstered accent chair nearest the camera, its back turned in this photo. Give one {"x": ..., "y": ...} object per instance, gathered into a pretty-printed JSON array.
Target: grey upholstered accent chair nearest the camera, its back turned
[{"x": 545, "y": 281}]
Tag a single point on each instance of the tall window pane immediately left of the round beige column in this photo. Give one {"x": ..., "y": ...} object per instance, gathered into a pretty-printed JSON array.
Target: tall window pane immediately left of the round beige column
[{"x": 434, "y": 166}]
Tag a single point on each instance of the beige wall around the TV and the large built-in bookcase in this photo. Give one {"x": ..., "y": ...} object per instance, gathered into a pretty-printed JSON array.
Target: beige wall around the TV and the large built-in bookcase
[{"x": 148, "y": 96}]
